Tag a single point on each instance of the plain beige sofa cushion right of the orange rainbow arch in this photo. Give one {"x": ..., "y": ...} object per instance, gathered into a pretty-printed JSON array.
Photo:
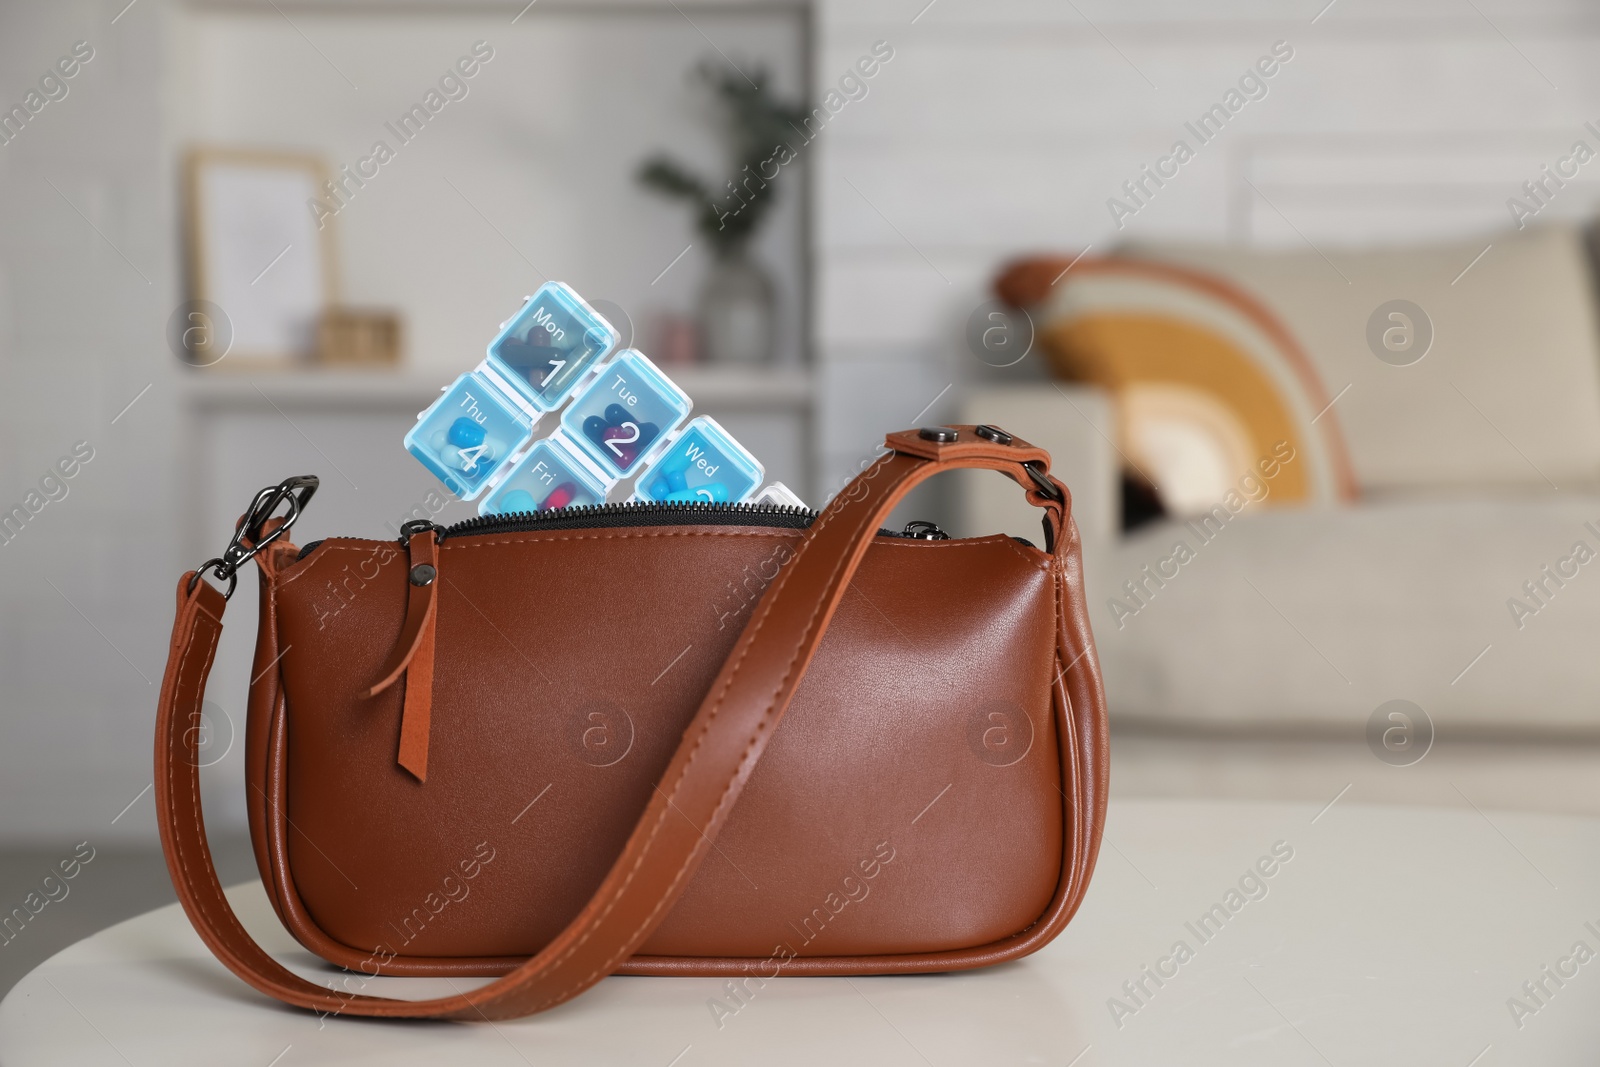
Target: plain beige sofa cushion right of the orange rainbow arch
[{"x": 1510, "y": 391}]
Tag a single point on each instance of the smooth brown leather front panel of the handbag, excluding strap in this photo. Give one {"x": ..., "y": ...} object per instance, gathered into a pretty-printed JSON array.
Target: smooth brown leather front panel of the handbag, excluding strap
[{"x": 881, "y": 724}]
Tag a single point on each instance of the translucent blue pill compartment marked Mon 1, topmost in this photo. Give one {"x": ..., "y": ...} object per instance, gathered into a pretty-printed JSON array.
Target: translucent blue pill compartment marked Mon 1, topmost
[{"x": 548, "y": 346}]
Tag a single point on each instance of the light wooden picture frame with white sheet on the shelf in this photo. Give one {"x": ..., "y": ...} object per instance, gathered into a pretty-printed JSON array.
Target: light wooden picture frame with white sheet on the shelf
[{"x": 262, "y": 268}]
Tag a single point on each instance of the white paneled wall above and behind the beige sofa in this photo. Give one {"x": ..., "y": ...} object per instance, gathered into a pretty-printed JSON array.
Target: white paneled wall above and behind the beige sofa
[{"x": 1002, "y": 127}]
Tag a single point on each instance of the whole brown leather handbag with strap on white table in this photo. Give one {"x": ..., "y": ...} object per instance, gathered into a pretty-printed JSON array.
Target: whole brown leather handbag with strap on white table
[{"x": 548, "y": 748}]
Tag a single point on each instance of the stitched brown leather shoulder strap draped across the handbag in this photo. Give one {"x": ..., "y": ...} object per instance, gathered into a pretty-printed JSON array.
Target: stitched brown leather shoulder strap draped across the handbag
[{"x": 705, "y": 778}]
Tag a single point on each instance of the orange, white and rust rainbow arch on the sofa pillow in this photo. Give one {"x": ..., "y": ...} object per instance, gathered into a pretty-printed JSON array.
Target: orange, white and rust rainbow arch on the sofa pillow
[{"x": 1217, "y": 404}]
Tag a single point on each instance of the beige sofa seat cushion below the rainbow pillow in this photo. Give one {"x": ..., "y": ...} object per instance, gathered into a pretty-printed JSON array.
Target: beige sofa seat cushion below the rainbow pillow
[{"x": 1306, "y": 618}]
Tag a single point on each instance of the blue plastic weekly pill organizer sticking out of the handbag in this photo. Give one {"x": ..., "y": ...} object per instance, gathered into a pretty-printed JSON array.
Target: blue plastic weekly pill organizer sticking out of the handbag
[{"x": 626, "y": 420}]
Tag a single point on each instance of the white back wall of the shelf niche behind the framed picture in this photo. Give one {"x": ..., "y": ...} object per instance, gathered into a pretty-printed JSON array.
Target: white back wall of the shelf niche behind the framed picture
[{"x": 530, "y": 175}]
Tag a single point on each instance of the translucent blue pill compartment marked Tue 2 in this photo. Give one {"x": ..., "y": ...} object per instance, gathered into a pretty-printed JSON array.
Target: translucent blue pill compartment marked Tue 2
[{"x": 625, "y": 414}]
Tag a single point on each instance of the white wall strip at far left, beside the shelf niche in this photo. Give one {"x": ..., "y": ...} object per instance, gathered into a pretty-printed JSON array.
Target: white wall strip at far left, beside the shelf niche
[{"x": 86, "y": 287}]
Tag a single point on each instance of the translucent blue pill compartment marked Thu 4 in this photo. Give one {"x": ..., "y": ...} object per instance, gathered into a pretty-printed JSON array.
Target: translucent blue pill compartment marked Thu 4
[{"x": 468, "y": 434}]
